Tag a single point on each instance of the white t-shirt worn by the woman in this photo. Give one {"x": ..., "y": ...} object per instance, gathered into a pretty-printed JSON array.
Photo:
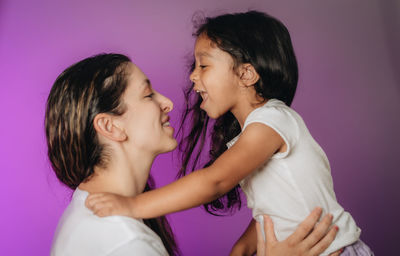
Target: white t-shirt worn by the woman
[{"x": 81, "y": 233}]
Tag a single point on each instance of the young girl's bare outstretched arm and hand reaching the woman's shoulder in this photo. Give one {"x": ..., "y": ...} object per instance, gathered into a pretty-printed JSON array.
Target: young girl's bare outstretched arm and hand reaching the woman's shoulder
[{"x": 255, "y": 146}]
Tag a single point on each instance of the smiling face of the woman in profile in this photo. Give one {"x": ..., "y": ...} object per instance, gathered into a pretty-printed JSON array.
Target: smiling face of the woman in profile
[{"x": 146, "y": 120}]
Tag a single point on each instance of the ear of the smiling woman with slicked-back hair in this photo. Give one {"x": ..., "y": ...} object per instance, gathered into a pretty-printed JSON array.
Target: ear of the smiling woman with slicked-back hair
[{"x": 105, "y": 125}]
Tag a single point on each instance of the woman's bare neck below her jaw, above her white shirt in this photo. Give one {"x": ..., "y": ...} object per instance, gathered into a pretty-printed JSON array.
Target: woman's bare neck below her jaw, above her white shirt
[{"x": 125, "y": 174}]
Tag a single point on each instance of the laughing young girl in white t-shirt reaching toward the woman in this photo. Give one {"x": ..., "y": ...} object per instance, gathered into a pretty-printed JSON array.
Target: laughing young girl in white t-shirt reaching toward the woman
[{"x": 245, "y": 75}]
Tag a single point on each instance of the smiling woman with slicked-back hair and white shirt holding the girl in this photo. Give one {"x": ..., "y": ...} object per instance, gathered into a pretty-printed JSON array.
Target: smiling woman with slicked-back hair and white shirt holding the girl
[{"x": 105, "y": 125}]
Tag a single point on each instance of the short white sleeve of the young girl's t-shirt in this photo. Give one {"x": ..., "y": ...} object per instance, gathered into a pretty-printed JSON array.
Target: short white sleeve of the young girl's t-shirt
[{"x": 281, "y": 120}]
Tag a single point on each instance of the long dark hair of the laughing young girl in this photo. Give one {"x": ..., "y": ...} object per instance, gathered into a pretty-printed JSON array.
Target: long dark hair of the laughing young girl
[{"x": 252, "y": 37}]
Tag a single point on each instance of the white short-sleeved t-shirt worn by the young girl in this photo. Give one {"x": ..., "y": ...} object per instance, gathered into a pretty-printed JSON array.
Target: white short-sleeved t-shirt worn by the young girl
[{"x": 292, "y": 183}]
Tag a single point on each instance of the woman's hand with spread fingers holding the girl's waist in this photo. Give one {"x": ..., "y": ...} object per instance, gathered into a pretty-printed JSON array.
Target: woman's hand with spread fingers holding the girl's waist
[{"x": 302, "y": 241}]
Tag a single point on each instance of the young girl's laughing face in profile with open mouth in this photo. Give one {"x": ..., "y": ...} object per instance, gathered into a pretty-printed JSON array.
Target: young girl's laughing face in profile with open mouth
[{"x": 214, "y": 78}]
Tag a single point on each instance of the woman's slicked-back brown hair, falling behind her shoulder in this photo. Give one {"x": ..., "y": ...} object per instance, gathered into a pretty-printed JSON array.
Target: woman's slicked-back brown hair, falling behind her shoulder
[{"x": 92, "y": 86}]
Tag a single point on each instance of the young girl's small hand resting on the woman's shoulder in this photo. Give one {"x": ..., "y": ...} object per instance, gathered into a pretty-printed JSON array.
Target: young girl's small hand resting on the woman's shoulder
[{"x": 106, "y": 204}]
